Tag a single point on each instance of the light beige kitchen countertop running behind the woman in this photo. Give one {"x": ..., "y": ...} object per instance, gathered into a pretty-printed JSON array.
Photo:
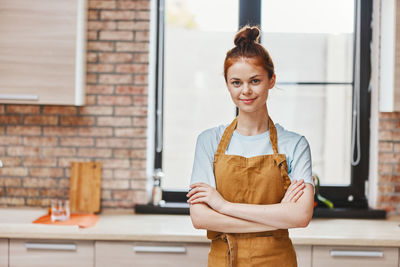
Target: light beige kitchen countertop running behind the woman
[{"x": 126, "y": 226}]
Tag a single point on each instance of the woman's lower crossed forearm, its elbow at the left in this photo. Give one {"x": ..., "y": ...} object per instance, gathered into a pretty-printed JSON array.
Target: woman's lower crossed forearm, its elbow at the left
[{"x": 203, "y": 217}]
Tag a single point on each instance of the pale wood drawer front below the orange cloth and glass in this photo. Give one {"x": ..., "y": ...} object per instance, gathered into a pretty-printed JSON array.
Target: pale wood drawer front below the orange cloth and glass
[{"x": 43, "y": 253}]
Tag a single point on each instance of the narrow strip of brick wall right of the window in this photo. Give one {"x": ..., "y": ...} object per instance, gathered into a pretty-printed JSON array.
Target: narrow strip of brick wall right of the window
[{"x": 389, "y": 162}]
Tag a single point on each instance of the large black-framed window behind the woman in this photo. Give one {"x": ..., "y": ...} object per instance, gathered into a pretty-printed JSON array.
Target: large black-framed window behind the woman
[{"x": 322, "y": 58}]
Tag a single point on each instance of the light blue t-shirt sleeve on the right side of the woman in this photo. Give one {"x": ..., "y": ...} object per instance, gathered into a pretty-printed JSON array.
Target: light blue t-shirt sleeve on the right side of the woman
[{"x": 300, "y": 167}]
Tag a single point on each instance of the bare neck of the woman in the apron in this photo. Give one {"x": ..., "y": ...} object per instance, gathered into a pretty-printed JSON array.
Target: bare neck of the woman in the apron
[{"x": 253, "y": 123}]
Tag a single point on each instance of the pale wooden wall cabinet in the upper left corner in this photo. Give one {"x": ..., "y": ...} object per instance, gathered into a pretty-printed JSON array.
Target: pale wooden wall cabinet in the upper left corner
[{"x": 43, "y": 52}]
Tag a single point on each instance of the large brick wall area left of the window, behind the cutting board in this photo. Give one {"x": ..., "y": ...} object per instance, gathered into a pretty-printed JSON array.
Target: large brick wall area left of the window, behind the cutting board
[{"x": 38, "y": 143}]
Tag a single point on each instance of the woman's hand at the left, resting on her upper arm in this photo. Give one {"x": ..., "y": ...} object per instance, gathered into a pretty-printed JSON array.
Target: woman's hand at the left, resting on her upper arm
[{"x": 204, "y": 193}]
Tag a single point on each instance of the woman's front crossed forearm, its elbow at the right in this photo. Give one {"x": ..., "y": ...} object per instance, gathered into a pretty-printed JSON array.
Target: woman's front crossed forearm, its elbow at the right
[{"x": 280, "y": 215}]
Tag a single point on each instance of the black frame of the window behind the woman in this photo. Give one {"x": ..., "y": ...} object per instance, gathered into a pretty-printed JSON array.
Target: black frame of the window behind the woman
[{"x": 352, "y": 196}]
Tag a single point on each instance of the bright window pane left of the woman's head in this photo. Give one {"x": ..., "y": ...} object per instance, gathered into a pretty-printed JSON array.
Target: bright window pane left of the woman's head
[{"x": 197, "y": 37}]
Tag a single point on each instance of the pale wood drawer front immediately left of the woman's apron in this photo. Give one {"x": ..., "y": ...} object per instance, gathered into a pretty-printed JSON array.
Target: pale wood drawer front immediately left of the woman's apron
[{"x": 145, "y": 254}]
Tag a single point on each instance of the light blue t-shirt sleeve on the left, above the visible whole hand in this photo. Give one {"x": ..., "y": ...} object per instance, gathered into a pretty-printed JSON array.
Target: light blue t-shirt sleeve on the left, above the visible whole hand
[{"x": 203, "y": 170}]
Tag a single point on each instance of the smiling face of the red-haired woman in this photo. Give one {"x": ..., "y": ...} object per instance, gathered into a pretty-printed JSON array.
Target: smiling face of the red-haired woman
[{"x": 248, "y": 84}]
